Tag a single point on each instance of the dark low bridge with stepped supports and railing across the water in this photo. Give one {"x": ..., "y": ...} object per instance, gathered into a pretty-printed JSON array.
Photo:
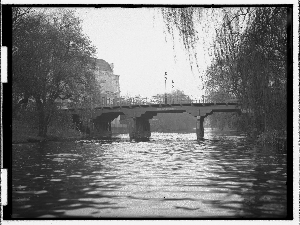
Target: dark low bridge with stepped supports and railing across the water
[{"x": 138, "y": 114}]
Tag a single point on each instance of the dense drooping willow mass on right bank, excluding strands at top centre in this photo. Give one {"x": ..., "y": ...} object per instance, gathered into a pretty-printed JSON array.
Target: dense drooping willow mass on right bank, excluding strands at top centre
[{"x": 250, "y": 64}]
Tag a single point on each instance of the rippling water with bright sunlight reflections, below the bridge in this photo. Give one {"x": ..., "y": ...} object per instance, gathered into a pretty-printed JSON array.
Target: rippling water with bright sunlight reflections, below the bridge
[{"x": 170, "y": 176}]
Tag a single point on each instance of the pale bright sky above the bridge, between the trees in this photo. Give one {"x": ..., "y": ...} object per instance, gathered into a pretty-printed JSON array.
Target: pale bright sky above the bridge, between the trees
[{"x": 134, "y": 40}]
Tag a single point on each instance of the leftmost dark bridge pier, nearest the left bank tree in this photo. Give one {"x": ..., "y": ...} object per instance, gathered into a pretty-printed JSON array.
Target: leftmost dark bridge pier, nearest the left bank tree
[{"x": 102, "y": 129}]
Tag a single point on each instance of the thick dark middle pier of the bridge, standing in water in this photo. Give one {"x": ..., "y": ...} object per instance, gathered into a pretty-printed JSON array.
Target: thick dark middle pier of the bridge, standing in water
[{"x": 139, "y": 128}]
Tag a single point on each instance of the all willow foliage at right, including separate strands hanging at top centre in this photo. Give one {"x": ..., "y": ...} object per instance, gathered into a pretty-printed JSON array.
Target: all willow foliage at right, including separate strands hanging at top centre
[{"x": 249, "y": 61}]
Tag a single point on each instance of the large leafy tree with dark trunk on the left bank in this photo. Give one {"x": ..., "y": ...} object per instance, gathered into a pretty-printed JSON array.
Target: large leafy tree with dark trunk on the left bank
[{"x": 51, "y": 61}]
